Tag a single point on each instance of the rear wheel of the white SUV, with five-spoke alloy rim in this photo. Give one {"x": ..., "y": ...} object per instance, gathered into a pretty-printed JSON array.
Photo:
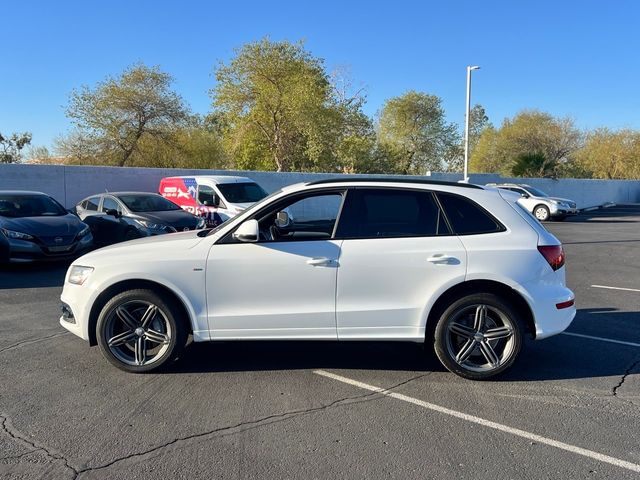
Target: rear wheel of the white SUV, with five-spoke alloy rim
[{"x": 463, "y": 342}]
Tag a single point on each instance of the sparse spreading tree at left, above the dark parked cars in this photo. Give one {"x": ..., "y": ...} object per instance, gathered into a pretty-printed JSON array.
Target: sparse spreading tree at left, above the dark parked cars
[{"x": 119, "y": 114}]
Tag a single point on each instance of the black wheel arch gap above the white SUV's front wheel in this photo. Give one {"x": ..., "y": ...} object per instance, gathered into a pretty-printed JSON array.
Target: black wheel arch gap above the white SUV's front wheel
[{"x": 132, "y": 284}]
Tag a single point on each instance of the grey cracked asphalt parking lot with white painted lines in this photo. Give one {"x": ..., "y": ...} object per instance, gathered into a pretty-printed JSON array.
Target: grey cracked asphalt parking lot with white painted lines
[{"x": 569, "y": 408}]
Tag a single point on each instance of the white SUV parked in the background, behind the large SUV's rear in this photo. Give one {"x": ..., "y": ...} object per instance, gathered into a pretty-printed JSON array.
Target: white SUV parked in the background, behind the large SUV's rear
[{"x": 539, "y": 203}]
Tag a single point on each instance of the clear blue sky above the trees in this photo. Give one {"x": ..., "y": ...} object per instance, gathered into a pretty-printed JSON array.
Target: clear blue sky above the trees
[{"x": 578, "y": 59}]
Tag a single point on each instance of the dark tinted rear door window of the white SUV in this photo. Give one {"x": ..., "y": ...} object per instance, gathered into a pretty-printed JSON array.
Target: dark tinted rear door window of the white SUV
[{"x": 391, "y": 213}]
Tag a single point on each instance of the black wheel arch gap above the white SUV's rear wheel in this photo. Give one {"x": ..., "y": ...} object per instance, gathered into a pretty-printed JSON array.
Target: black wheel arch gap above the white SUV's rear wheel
[{"x": 476, "y": 286}]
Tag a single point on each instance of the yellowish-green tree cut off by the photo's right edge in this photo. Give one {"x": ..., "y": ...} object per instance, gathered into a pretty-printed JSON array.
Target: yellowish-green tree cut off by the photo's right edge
[{"x": 611, "y": 154}]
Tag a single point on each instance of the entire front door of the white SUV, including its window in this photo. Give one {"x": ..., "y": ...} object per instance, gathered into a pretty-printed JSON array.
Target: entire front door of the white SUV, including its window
[{"x": 283, "y": 285}]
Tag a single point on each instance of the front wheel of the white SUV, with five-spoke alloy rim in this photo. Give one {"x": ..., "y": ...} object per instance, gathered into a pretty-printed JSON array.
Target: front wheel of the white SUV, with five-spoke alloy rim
[{"x": 130, "y": 344}]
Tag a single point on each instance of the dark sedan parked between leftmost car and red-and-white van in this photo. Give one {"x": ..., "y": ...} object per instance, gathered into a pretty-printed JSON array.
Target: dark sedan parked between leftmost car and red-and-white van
[{"x": 119, "y": 216}]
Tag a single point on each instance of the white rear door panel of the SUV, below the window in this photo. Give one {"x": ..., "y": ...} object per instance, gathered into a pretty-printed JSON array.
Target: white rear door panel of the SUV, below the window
[{"x": 383, "y": 284}]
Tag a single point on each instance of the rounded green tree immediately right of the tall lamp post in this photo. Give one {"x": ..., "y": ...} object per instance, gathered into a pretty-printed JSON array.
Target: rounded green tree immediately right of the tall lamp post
[{"x": 534, "y": 142}]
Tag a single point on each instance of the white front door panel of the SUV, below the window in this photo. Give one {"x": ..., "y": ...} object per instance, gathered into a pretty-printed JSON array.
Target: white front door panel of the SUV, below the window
[{"x": 290, "y": 297}]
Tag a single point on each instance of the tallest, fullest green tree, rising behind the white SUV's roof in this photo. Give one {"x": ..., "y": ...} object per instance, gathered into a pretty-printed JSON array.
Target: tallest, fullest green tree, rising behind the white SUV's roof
[{"x": 275, "y": 105}]
